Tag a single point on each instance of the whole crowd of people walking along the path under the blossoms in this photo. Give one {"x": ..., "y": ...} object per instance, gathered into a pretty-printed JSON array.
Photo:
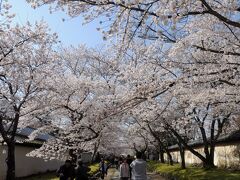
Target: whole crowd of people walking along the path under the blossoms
[{"x": 129, "y": 168}]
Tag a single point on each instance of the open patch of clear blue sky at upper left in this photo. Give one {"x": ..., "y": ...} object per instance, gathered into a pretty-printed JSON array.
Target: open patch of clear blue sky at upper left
[{"x": 71, "y": 31}]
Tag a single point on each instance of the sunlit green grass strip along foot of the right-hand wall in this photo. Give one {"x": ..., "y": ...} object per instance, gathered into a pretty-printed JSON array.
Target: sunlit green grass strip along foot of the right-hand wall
[{"x": 192, "y": 173}]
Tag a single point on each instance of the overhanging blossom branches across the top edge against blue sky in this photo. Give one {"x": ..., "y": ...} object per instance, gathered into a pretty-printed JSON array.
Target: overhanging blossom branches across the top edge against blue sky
[{"x": 148, "y": 20}]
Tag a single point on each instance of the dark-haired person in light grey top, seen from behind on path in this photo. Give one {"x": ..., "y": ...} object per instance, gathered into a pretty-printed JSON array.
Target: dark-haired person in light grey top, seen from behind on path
[{"x": 139, "y": 167}]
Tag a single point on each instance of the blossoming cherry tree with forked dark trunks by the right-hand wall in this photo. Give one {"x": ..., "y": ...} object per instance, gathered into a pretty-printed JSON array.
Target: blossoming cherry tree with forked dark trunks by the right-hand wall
[{"x": 209, "y": 78}]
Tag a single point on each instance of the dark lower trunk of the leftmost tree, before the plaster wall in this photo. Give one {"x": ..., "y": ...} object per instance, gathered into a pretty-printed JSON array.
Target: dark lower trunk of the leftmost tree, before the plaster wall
[{"x": 11, "y": 161}]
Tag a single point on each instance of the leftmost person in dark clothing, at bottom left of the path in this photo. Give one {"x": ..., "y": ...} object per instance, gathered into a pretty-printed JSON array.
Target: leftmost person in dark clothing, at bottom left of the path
[{"x": 66, "y": 171}]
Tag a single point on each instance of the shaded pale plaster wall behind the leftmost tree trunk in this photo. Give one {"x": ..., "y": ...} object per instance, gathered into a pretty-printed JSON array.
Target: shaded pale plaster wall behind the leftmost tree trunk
[{"x": 26, "y": 166}]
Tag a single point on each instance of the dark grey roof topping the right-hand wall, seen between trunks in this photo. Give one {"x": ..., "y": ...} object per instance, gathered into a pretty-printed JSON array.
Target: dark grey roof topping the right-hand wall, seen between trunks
[{"x": 224, "y": 139}]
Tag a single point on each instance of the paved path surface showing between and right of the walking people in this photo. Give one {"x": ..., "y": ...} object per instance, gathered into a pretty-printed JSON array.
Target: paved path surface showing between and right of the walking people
[{"x": 113, "y": 174}]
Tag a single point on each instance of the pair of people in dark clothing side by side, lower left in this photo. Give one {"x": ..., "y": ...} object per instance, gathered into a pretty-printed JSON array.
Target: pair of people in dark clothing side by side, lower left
[{"x": 69, "y": 172}]
